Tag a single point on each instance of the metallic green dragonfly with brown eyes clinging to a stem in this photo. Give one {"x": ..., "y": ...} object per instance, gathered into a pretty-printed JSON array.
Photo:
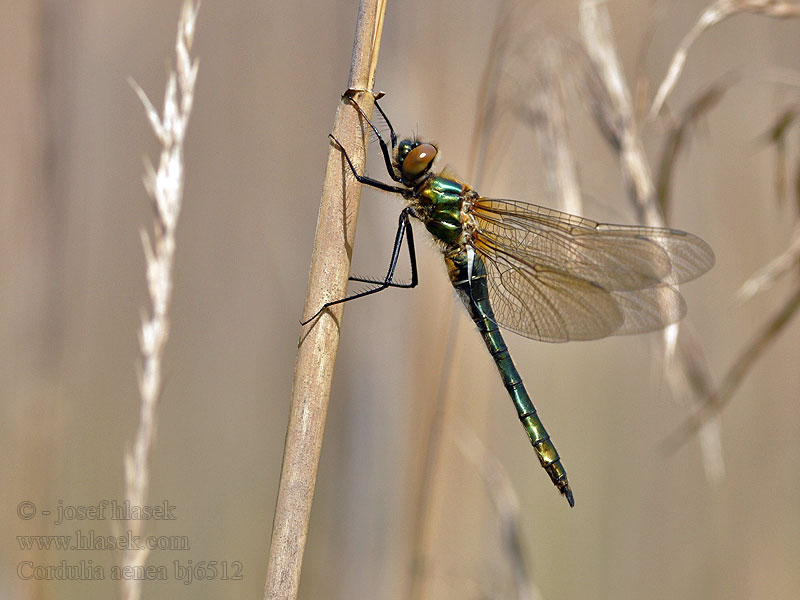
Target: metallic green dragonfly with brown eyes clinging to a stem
[{"x": 541, "y": 273}]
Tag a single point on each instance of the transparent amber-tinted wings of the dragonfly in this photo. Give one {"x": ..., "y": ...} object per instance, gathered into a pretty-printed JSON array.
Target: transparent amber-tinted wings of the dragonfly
[{"x": 555, "y": 277}]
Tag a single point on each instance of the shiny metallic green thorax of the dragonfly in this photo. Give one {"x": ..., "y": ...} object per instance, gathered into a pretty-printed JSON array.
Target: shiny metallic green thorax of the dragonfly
[{"x": 438, "y": 200}]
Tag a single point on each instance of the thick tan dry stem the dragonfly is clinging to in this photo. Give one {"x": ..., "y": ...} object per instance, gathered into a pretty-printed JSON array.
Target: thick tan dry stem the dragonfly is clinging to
[{"x": 330, "y": 267}]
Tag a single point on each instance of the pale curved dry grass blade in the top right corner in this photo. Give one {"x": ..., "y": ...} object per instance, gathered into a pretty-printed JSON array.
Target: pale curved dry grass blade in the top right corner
[{"x": 712, "y": 15}]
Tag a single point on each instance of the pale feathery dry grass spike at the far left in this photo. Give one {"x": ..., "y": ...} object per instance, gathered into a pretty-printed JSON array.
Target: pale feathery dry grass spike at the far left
[{"x": 165, "y": 187}]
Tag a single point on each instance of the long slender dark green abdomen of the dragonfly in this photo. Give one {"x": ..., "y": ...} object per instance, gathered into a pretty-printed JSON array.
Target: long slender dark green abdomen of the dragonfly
[{"x": 473, "y": 291}]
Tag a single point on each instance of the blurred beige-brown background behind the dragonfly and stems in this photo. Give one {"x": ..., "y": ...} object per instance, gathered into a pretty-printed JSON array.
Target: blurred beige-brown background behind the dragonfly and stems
[{"x": 645, "y": 524}]
